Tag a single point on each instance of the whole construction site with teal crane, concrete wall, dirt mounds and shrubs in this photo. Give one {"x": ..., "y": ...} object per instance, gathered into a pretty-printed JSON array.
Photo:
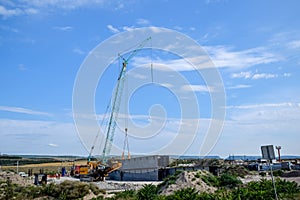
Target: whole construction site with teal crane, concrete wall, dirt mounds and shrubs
[{"x": 105, "y": 175}]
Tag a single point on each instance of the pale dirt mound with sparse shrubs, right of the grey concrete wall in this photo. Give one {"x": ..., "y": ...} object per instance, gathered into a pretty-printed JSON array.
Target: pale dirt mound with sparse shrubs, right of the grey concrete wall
[{"x": 188, "y": 179}]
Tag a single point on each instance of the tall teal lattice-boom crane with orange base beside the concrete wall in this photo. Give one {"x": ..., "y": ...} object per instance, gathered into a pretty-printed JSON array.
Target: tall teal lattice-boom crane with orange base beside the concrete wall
[{"x": 97, "y": 170}]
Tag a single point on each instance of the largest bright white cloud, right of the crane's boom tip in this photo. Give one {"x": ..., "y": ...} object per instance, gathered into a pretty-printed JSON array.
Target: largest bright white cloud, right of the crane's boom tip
[{"x": 223, "y": 56}]
